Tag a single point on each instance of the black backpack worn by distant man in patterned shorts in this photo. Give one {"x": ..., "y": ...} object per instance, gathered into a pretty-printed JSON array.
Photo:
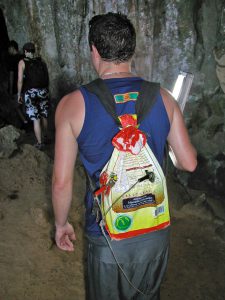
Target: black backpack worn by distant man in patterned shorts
[{"x": 36, "y": 73}]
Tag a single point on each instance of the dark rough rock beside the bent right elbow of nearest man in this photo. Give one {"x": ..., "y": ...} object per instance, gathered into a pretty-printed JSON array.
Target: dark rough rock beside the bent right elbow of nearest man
[{"x": 206, "y": 123}]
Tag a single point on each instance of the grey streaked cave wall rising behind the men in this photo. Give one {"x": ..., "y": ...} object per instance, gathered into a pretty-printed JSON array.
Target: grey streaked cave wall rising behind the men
[{"x": 172, "y": 35}]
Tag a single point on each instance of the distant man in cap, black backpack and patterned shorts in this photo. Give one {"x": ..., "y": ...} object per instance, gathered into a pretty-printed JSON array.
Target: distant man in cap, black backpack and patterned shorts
[{"x": 33, "y": 83}]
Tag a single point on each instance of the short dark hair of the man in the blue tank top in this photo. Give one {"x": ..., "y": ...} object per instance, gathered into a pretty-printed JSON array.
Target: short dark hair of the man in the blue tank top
[{"x": 114, "y": 37}]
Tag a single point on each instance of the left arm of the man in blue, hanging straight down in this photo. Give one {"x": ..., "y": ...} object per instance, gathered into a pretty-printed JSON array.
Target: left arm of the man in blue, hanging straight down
[{"x": 67, "y": 122}]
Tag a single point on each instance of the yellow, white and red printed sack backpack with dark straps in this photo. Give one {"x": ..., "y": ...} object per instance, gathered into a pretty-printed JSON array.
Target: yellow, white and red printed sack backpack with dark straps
[{"x": 132, "y": 196}]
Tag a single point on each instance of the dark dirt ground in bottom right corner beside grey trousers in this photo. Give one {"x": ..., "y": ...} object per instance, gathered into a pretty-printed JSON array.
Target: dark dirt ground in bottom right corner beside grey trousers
[{"x": 197, "y": 262}]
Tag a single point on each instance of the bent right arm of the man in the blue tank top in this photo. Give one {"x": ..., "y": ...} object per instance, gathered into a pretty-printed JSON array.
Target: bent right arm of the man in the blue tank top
[{"x": 182, "y": 152}]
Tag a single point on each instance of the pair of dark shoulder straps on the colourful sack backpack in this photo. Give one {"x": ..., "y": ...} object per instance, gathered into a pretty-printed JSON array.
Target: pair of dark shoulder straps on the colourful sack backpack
[{"x": 144, "y": 103}]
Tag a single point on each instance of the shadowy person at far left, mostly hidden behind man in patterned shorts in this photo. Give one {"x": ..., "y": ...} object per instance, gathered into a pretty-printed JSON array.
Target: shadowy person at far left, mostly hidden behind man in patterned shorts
[{"x": 13, "y": 59}]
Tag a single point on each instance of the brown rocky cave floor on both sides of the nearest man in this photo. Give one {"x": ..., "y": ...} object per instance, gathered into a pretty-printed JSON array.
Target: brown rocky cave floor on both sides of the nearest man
[{"x": 31, "y": 267}]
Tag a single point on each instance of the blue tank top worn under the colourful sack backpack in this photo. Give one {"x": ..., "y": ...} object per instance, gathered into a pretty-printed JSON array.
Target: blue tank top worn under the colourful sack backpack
[{"x": 94, "y": 141}]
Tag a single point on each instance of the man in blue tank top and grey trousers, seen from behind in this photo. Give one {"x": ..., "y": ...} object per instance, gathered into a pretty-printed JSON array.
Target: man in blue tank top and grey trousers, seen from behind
[{"x": 82, "y": 123}]
